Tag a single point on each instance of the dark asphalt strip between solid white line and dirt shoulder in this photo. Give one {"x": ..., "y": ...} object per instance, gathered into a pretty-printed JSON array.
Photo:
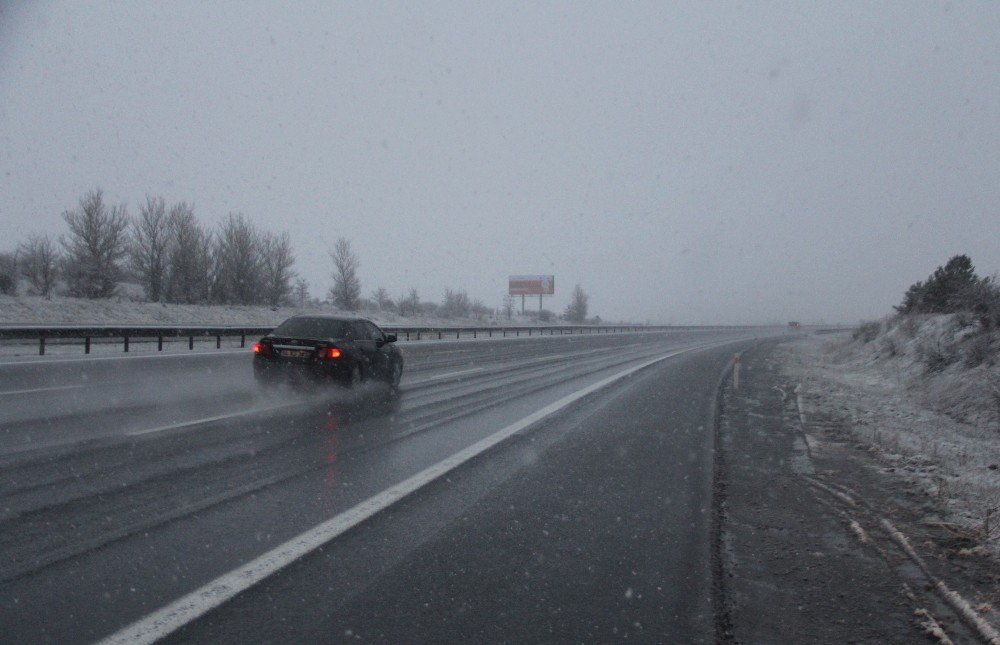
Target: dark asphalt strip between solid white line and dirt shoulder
[{"x": 593, "y": 528}]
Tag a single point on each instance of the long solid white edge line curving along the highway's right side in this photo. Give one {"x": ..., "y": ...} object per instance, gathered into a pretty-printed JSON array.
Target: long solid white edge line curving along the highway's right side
[{"x": 197, "y": 603}]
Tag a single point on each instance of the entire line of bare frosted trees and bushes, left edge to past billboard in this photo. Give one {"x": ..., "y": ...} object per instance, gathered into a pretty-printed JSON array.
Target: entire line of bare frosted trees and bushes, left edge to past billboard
[{"x": 175, "y": 258}]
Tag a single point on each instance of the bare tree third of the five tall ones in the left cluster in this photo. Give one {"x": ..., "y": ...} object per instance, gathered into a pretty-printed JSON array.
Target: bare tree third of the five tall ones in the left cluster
[{"x": 189, "y": 263}]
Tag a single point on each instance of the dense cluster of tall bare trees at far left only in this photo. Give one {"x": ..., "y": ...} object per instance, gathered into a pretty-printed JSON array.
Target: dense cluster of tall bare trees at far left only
[{"x": 172, "y": 255}]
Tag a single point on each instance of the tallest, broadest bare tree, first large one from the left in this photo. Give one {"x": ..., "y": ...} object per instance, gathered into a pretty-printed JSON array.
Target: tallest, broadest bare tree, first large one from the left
[{"x": 95, "y": 246}]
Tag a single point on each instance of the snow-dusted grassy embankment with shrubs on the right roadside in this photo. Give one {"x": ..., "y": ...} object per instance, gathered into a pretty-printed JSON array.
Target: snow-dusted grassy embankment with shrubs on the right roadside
[{"x": 923, "y": 393}]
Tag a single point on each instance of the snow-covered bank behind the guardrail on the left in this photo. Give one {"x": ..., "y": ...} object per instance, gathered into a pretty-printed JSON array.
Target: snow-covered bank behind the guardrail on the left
[{"x": 33, "y": 310}]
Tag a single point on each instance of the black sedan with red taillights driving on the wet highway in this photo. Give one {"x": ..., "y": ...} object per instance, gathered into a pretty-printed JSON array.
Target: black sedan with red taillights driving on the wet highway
[{"x": 328, "y": 348}]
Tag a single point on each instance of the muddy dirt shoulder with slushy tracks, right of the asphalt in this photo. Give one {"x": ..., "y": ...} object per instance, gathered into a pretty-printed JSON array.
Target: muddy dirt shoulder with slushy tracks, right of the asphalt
[{"x": 821, "y": 540}]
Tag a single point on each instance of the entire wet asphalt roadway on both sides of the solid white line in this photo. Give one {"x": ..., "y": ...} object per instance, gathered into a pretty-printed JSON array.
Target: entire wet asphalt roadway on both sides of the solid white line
[{"x": 126, "y": 484}]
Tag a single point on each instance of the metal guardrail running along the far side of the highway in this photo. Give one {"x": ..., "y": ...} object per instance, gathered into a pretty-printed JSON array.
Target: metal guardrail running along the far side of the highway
[{"x": 148, "y": 332}]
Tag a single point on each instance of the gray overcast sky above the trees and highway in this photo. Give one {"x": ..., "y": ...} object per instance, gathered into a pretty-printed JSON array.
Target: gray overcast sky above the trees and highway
[{"x": 695, "y": 162}]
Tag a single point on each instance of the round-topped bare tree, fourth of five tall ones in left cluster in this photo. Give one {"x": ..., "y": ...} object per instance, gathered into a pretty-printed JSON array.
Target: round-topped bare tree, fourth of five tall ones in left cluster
[{"x": 238, "y": 262}]
